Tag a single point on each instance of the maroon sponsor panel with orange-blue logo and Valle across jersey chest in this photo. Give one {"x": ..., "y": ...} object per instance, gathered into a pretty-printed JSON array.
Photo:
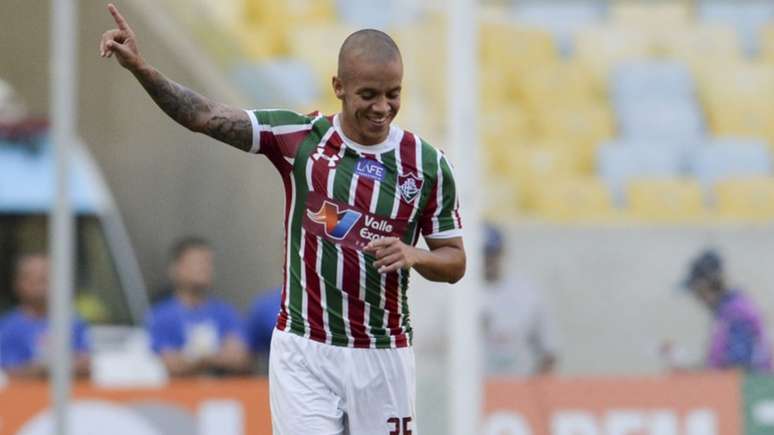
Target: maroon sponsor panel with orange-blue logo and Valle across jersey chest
[{"x": 343, "y": 224}]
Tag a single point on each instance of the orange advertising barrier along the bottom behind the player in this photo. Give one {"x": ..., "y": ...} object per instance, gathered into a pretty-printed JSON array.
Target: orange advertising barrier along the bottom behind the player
[{"x": 687, "y": 404}]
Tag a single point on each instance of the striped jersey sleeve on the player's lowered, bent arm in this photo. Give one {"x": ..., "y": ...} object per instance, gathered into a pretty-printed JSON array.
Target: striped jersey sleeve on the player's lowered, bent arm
[{"x": 441, "y": 216}]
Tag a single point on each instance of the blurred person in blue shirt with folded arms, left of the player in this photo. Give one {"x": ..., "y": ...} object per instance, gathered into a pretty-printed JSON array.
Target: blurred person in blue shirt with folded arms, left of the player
[{"x": 193, "y": 332}]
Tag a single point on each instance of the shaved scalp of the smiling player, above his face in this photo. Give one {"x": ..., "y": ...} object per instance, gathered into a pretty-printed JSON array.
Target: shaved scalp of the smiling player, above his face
[{"x": 367, "y": 45}]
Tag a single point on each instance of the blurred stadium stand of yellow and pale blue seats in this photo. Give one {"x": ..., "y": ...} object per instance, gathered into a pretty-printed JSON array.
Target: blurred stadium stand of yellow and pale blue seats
[{"x": 643, "y": 101}]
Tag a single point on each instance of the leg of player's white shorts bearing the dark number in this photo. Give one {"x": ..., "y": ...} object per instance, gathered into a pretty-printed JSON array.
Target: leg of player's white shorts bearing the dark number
[{"x": 381, "y": 393}]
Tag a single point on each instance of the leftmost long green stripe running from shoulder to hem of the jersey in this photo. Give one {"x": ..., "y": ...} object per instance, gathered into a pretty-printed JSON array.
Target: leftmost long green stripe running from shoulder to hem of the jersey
[{"x": 296, "y": 292}]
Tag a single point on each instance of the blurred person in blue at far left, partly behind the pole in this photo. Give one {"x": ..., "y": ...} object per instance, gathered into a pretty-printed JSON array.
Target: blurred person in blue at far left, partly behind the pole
[{"x": 24, "y": 339}]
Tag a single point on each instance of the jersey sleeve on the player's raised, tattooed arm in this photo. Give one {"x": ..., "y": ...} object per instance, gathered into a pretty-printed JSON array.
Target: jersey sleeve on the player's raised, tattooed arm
[{"x": 278, "y": 133}]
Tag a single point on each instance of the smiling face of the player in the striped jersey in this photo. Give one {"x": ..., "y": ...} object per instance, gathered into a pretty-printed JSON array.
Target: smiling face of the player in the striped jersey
[{"x": 370, "y": 96}]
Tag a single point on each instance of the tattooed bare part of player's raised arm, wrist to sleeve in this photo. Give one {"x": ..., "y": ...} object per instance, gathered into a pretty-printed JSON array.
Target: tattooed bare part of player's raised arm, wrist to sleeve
[{"x": 196, "y": 112}]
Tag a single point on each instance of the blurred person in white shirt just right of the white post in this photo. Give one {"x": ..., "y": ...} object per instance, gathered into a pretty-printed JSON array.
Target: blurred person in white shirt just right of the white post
[{"x": 519, "y": 333}]
